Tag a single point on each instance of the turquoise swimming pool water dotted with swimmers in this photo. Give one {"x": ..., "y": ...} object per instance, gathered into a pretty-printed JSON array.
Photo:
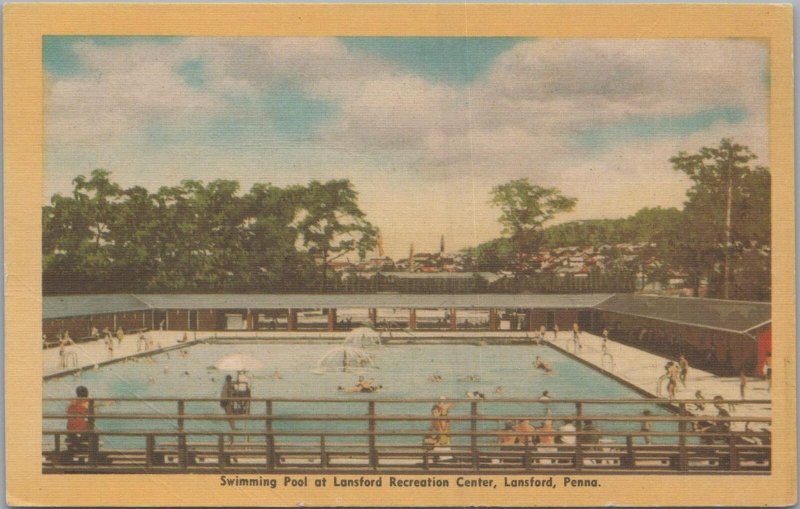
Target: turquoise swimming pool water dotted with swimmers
[{"x": 403, "y": 370}]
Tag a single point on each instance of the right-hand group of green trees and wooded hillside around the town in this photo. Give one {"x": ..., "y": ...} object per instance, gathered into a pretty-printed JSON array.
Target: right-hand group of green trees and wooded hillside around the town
[{"x": 721, "y": 237}]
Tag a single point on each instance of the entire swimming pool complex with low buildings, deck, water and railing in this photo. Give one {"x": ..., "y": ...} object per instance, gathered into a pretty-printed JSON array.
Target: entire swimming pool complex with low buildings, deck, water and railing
[{"x": 412, "y": 383}]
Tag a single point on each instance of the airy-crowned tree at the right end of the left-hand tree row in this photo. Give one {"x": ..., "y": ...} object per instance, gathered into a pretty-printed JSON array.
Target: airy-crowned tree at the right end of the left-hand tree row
[{"x": 330, "y": 223}]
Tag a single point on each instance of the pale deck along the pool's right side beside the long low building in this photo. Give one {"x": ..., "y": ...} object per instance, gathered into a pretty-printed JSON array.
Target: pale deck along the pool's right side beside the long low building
[{"x": 643, "y": 369}]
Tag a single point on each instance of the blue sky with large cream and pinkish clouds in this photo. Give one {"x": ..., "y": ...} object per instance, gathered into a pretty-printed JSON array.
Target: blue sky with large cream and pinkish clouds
[{"x": 424, "y": 127}]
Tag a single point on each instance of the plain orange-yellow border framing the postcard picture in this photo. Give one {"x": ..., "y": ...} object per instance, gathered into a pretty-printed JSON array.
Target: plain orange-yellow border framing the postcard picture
[{"x": 24, "y": 26}]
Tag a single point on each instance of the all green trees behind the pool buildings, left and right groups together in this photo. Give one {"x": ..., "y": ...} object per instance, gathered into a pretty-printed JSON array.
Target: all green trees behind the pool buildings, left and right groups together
[{"x": 196, "y": 237}]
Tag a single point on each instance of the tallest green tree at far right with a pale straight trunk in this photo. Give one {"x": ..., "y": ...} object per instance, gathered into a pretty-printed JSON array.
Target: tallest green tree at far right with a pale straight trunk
[{"x": 727, "y": 204}]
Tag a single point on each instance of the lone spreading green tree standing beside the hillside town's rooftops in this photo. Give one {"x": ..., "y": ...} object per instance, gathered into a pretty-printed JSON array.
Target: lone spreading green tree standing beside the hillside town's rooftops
[{"x": 525, "y": 208}]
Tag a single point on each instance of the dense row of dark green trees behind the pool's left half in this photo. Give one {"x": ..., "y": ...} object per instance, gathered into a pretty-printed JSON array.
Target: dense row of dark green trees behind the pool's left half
[{"x": 199, "y": 237}]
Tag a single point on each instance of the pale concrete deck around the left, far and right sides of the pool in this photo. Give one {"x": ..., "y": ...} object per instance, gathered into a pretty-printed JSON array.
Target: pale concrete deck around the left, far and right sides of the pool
[{"x": 631, "y": 366}]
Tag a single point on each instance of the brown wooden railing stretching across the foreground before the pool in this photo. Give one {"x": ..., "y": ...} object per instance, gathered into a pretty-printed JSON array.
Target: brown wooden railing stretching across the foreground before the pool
[{"x": 369, "y": 440}]
